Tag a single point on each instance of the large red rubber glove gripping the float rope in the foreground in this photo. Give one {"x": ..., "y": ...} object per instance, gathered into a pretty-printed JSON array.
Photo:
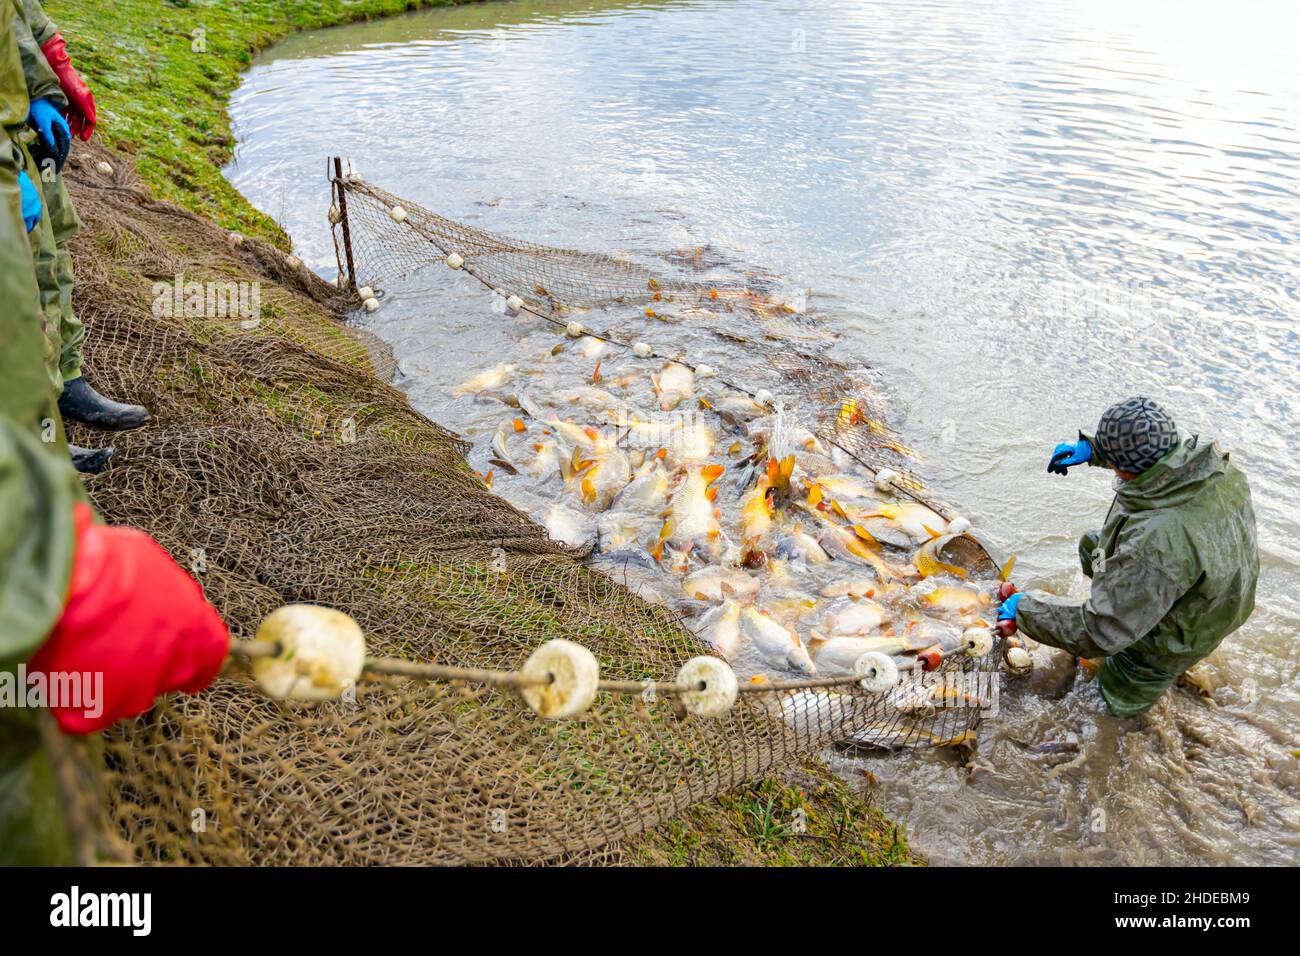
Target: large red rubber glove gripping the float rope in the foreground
[{"x": 135, "y": 617}]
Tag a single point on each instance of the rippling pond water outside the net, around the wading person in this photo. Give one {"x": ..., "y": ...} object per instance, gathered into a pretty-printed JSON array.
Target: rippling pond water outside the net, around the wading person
[{"x": 1015, "y": 214}]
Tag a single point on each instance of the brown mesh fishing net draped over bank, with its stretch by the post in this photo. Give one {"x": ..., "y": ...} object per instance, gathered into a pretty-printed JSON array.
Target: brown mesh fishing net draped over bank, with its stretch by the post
[{"x": 281, "y": 466}]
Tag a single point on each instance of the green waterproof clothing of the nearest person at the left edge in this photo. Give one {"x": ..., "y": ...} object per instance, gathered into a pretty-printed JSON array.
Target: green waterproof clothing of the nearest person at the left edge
[{"x": 38, "y": 490}]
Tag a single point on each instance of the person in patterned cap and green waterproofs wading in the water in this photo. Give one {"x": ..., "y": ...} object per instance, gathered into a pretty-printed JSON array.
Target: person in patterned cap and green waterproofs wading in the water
[{"x": 1173, "y": 569}]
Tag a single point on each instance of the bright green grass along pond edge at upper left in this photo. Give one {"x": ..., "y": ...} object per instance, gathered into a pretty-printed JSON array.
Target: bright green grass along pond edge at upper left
[{"x": 163, "y": 72}]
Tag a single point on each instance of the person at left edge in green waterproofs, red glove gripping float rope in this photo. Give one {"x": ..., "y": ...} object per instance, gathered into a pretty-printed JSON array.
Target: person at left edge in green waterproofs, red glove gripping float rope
[{"x": 99, "y": 609}]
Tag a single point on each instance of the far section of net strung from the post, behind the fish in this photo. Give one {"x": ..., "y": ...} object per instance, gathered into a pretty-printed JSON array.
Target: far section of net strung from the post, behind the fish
[{"x": 380, "y": 239}]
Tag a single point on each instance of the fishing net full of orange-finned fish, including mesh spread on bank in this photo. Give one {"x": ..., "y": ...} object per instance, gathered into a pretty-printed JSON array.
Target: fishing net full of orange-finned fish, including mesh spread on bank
[{"x": 744, "y": 559}]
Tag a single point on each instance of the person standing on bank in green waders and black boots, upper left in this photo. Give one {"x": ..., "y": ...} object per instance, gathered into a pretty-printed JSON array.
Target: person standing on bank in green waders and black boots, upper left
[{"x": 62, "y": 110}]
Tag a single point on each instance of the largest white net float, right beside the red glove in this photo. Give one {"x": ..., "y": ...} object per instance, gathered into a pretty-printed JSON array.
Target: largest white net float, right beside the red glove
[{"x": 322, "y": 654}]
